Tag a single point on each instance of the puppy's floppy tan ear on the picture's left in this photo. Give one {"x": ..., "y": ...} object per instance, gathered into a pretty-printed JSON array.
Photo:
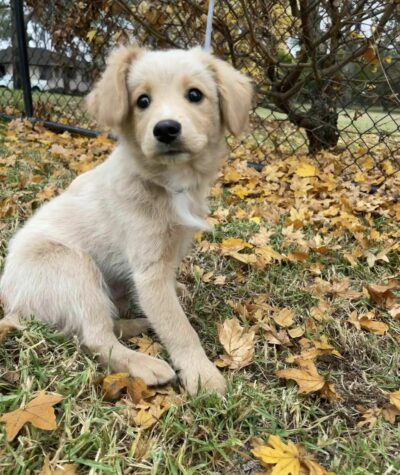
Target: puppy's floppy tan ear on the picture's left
[{"x": 109, "y": 100}]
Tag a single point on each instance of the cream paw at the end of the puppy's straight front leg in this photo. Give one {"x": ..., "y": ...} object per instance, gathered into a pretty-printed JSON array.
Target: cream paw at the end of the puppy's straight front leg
[{"x": 202, "y": 375}]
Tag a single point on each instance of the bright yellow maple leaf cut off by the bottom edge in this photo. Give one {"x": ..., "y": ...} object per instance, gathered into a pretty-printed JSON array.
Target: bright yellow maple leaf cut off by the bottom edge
[{"x": 287, "y": 459}]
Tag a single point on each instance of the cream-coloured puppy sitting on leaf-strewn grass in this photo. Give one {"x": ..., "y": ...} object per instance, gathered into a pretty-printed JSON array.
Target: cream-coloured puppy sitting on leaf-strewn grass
[{"x": 122, "y": 228}]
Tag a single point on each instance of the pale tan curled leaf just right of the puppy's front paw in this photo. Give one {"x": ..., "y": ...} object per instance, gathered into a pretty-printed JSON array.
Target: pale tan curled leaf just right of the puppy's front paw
[{"x": 238, "y": 345}]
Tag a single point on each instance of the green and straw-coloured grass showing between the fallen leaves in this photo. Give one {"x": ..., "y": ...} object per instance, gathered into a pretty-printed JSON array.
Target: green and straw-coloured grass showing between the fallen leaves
[{"x": 207, "y": 434}]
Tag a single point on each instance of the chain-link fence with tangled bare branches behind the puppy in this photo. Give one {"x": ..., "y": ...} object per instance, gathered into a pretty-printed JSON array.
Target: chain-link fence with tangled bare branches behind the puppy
[{"x": 327, "y": 72}]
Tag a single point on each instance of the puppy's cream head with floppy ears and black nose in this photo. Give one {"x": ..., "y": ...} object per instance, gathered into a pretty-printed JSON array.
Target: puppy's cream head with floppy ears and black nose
[{"x": 172, "y": 105}]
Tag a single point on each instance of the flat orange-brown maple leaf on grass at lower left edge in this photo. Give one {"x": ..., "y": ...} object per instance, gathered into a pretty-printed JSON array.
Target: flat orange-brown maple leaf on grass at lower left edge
[{"x": 39, "y": 412}]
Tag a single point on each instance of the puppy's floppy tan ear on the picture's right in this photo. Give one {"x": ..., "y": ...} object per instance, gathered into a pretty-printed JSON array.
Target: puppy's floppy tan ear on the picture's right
[{"x": 236, "y": 94}]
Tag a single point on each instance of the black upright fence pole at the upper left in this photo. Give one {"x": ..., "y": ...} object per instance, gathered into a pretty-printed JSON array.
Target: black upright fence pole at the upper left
[{"x": 23, "y": 56}]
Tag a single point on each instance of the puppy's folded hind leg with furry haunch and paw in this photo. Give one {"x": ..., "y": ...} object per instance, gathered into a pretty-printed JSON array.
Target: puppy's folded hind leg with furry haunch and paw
[{"x": 64, "y": 287}]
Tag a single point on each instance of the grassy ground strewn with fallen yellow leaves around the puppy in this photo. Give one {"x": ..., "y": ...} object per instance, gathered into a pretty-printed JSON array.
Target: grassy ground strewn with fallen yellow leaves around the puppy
[{"x": 291, "y": 254}]
